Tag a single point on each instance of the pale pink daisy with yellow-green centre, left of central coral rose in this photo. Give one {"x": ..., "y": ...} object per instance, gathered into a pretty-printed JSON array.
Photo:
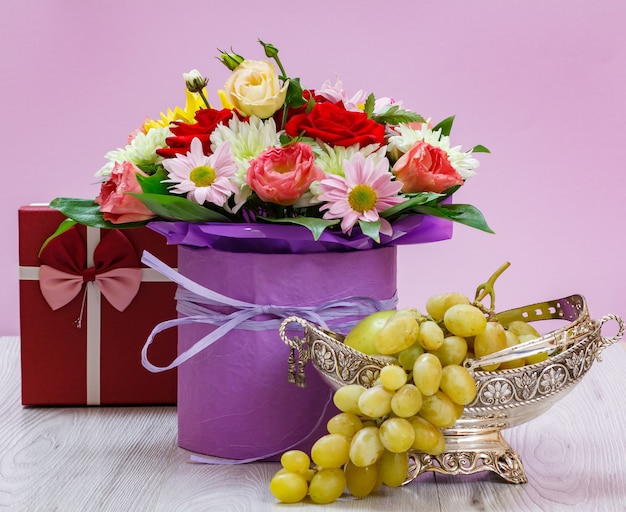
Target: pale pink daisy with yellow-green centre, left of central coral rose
[{"x": 201, "y": 177}]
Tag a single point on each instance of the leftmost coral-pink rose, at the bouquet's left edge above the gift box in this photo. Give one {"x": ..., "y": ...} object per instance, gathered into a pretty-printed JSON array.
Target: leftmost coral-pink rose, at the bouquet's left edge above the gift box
[{"x": 117, "y": 206}]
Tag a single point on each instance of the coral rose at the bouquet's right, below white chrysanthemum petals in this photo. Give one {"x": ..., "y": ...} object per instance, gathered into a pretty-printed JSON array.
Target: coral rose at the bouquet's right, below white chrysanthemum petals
[{"x": 425, "y": 168}]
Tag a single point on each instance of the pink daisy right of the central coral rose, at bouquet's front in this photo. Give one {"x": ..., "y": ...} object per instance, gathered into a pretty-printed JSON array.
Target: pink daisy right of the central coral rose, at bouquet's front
[{"x": 366, "y": 190}]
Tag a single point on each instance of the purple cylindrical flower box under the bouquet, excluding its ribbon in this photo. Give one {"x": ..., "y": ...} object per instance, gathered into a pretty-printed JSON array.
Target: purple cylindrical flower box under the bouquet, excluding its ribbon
[{"x": 234, "y": 400}]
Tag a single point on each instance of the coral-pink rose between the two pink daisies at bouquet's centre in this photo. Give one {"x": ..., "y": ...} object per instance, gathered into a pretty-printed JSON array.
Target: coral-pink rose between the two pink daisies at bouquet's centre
[{"x": 282, "y": 174}]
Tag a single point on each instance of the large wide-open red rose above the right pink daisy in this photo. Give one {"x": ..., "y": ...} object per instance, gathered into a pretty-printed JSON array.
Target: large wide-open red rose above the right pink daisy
[{"x": 334, "y": 125}]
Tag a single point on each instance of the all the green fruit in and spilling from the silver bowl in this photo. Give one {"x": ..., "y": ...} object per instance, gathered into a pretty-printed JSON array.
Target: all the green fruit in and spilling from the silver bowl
[{"x": 422, "y": 390}]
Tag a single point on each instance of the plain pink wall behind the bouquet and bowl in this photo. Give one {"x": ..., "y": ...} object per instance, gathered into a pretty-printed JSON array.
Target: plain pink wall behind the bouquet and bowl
[{"x": 541, "y": 83}]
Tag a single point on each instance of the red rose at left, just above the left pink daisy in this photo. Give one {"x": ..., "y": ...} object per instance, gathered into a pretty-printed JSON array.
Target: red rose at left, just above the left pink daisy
[{"x": 207, "y": 119}]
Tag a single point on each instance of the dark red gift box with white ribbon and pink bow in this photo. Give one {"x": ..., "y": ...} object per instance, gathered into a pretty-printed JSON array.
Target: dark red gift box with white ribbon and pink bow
[{"x": 81, "y": 343}]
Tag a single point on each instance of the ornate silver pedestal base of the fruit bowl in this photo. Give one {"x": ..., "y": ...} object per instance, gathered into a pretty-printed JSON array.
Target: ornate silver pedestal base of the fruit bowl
[{"x": 467, "y": 454}]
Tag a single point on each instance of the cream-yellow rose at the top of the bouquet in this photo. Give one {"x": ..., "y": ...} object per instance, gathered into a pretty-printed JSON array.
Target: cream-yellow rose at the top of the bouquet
[{"x": 254, "y": 89}]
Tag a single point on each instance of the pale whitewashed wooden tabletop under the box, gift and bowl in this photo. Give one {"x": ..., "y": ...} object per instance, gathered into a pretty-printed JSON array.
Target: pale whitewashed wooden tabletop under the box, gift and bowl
[{"x": 126, "y": 459}]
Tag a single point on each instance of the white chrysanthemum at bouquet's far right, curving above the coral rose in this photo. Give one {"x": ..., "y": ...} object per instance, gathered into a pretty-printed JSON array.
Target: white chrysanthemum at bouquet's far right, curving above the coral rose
[{"x": 463, "y": 162}]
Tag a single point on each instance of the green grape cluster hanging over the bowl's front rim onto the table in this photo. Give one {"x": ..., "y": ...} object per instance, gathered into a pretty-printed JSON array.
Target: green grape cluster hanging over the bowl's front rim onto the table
[{"x": 369, "y": 441}]
